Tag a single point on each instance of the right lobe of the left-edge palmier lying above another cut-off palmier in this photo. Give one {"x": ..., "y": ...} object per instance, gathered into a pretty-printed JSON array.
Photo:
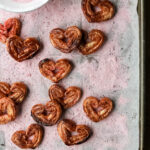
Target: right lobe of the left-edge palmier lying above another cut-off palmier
[{"x": 18, "y": 92}]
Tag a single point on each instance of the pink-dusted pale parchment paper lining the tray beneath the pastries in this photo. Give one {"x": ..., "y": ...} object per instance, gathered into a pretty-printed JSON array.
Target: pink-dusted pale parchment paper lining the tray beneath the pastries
[{"x": 113, "y": 71}]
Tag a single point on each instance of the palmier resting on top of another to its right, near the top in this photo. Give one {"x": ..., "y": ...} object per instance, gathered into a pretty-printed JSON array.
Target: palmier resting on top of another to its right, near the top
[{"x": 66, "y": 40}]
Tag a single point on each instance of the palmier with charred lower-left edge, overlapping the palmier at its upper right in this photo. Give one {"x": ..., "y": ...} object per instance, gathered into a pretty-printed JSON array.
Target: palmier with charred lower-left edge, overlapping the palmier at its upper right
[{"x": 48, "y": 114}]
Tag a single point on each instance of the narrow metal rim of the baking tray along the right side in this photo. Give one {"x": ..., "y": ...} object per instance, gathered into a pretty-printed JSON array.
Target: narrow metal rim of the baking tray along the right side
[{"x": 142, "y": 71}]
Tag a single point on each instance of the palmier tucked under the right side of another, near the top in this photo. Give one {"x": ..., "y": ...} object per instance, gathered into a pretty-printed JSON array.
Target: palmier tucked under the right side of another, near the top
[{"x": 92, "y": 42}]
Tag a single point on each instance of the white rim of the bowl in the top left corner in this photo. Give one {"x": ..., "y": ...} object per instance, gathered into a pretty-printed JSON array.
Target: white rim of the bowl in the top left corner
[{"x": 27, "y": 7}]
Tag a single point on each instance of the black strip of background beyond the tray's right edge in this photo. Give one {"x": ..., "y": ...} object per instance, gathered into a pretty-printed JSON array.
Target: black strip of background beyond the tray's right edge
[{"x": 147, "y": 76}]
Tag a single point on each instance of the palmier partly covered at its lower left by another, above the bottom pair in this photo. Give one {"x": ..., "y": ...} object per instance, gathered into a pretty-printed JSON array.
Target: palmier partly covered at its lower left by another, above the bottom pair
[{"x": 67, "y": 98}]
